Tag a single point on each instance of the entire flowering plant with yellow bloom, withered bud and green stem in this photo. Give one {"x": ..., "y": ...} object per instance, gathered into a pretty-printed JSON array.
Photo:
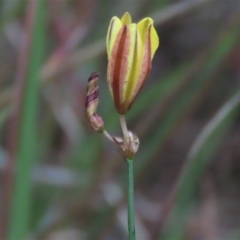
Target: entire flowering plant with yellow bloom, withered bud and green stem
[{"x": 130, "y": 49}]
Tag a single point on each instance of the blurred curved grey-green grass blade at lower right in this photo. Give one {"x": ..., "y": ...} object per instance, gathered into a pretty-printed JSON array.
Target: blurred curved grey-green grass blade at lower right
[{"x": 197, "y": 162}]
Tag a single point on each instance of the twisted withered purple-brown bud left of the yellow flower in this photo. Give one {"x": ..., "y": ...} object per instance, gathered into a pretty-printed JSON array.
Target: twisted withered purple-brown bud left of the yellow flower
[{"x": 92, "y": 101}]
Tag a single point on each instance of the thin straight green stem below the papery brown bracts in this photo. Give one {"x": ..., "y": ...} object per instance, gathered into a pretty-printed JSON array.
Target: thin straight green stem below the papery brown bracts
[{"x": 131, "y": 221}]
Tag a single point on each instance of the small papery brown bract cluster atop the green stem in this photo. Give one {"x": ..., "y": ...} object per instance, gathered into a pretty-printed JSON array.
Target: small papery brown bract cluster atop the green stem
[{"x": 129, "y": 147}]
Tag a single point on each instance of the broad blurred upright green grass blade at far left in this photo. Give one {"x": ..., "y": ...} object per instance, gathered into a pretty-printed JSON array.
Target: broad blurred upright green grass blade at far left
[{"x": 26, "y": 145}]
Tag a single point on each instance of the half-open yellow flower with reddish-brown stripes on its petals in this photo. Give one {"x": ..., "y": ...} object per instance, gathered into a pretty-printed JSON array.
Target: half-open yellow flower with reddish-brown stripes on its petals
[{"x": 130, "y": 49}]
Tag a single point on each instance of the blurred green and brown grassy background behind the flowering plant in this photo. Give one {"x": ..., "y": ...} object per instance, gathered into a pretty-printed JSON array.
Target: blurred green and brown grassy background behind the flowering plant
[{"x": 62, "y": 180}]
